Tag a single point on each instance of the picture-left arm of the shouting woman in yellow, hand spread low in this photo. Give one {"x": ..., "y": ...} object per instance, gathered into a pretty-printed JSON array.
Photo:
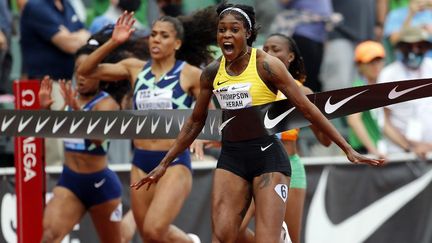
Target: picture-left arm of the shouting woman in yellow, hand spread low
[{"x": 190, "y": 130}]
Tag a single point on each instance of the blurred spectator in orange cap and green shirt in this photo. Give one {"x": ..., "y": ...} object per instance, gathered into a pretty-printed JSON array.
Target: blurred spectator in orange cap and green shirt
[{"x": 364, "y": 131}]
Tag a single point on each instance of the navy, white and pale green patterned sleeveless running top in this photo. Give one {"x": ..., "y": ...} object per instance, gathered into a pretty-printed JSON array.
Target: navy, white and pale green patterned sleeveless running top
[{"x": 165, "y": 93}]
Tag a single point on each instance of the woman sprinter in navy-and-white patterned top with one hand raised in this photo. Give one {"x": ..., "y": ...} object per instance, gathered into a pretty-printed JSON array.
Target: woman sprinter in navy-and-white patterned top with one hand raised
[{"x": 165, "y": 81}]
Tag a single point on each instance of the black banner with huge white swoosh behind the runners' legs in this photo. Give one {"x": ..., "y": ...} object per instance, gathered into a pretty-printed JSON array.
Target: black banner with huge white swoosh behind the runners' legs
[{"x": 344, "y": 204}]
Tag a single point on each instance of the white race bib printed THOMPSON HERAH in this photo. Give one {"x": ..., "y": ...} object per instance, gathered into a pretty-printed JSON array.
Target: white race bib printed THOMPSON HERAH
[{"x": 235, "y": 96}]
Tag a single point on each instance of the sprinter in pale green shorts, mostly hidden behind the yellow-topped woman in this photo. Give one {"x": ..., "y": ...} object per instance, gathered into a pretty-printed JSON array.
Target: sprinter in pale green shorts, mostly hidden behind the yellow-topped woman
[{"x": 285, "y": 48}]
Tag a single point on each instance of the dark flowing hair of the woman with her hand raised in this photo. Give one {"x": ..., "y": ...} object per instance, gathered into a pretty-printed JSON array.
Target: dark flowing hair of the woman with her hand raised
[{"x": 197, "y": 32}]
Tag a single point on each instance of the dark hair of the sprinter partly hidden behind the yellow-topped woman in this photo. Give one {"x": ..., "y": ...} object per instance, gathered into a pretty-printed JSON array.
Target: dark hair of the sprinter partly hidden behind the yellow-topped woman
[{"x": 296, "y": 67}]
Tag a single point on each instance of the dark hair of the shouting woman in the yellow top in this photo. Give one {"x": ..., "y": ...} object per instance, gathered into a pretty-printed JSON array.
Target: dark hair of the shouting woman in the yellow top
[{"x": 248, "y": 10}]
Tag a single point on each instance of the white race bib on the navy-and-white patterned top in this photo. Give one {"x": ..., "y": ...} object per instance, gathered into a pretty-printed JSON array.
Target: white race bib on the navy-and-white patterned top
[{"x": 159, "y": 99}]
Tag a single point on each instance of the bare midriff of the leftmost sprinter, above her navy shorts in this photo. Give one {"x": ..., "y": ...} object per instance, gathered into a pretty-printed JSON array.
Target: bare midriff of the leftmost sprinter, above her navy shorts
[{"x": 85, "y": 163}]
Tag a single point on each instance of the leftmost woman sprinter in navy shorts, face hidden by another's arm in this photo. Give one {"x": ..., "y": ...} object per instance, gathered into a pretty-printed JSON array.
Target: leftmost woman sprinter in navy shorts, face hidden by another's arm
[{"x": 86, "y": 183}]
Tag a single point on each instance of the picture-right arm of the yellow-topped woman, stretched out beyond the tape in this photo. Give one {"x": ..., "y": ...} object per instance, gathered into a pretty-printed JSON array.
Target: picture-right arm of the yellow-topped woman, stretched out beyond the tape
[{"x": 274, "y": 72}]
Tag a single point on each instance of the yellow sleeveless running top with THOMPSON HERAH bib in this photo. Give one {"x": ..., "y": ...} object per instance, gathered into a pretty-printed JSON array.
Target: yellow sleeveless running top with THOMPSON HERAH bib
[{"x": 244, "y": 90}]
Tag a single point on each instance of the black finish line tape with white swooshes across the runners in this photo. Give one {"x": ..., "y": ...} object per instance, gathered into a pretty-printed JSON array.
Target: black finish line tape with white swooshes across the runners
[{"x": 234, "y": 125}]
